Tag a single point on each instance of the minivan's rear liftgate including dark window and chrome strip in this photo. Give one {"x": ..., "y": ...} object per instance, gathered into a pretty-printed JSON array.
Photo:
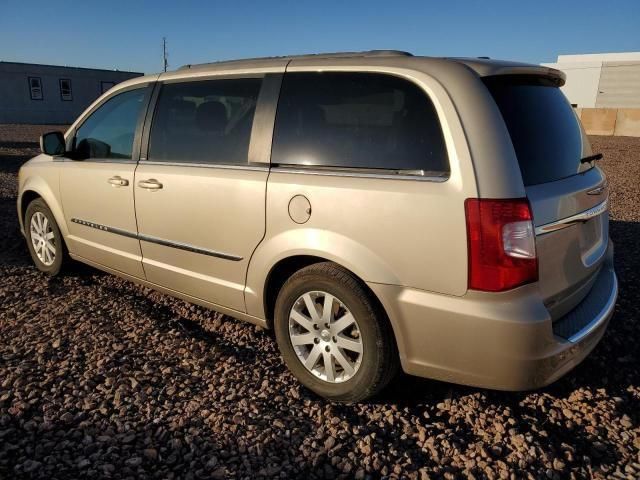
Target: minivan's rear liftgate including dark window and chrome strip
[{"x": 568, "y": 197}]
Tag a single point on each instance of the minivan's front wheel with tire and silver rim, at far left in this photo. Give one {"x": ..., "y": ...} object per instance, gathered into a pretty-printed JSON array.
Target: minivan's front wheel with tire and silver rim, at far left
[{"x": 53, "y": 262}]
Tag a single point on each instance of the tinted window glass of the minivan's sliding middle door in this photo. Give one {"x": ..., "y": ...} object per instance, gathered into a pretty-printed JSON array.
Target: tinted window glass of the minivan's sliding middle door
[{"x": 204, "y": 121}]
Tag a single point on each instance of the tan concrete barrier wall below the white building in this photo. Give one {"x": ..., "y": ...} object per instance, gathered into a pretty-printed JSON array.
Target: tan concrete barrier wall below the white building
[{"x": 610, "y": 121}]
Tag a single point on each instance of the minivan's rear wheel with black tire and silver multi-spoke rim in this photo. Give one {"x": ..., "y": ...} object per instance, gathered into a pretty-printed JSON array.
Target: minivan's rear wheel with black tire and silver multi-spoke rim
[{"x": 368, "y": 372}]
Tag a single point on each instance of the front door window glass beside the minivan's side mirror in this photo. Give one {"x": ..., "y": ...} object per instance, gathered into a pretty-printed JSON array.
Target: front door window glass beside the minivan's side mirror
[{"x": 109, "y": 131}]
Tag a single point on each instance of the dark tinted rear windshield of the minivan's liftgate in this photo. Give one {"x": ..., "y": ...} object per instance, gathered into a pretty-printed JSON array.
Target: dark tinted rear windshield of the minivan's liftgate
[{"x": 545, "y": 132}]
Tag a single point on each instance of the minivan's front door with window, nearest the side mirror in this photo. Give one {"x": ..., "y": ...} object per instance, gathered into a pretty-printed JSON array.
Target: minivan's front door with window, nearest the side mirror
[{"x": 97, "y": 185}]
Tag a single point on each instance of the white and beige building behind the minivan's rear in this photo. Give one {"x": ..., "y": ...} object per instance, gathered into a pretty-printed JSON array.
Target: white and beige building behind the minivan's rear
[{"x": 601, "y": 80}]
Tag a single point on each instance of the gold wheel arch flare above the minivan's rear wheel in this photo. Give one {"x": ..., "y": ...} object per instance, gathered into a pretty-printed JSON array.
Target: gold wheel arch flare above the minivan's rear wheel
[{"x": 332, "y": 246}]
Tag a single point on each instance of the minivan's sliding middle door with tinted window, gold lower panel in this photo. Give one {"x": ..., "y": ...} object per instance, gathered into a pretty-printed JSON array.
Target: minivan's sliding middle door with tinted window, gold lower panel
[{"x": 200, "y": 204}]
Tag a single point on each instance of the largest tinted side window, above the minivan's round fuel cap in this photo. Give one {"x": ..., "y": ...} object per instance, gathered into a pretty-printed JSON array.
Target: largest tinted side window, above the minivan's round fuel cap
[{"x": 358, "y": 120}]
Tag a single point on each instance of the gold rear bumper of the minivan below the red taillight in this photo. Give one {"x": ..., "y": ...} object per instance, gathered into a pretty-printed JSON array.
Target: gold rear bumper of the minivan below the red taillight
[{"x": 503, "y": 341}]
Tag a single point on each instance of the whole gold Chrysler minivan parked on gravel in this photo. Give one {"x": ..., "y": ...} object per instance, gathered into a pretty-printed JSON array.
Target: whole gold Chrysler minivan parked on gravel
[{"x": 378, "y": 210}]
